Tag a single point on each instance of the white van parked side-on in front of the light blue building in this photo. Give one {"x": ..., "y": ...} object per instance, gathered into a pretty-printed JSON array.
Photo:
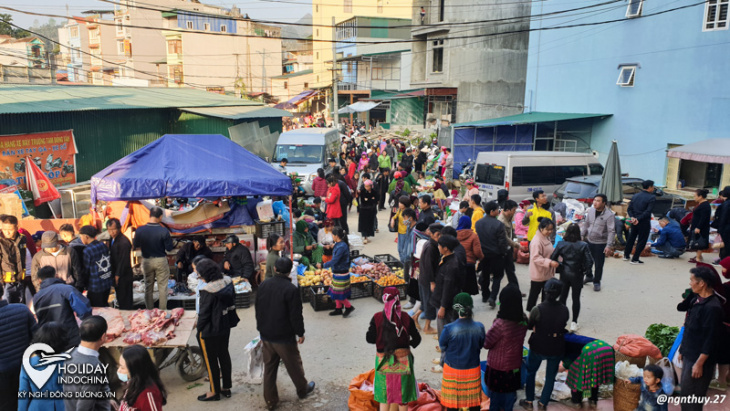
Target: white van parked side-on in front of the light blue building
[{"x": 522, "y": 172}]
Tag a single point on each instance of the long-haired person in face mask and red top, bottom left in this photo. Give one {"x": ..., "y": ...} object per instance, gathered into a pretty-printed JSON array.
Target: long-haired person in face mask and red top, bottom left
[{"x": 144, "y": 390}]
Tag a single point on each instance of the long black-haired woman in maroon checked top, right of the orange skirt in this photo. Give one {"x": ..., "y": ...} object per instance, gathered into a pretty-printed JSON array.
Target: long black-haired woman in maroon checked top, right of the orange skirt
[{"x": 504, "y": 342}]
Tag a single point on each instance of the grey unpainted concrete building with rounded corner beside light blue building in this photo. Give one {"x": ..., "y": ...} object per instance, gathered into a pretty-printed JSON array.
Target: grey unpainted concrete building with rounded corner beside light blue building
[{"x": 487, "y": 71}]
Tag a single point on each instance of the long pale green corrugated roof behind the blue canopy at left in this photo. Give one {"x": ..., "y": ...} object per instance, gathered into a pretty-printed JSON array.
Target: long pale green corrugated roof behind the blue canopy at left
[{"x": 16, "y": 99}]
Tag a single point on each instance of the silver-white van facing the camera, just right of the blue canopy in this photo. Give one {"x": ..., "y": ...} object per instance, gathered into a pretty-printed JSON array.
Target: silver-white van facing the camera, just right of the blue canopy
[{"x": 307, "y": 149}]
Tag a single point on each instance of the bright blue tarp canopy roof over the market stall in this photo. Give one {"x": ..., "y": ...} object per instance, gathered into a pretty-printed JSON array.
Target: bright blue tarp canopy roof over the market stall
[{"x": 188, "y": 165}]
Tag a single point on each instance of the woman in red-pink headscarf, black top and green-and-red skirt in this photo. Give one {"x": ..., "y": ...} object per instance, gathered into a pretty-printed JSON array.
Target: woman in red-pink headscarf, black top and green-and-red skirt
[{"x": 393, "y": 332}]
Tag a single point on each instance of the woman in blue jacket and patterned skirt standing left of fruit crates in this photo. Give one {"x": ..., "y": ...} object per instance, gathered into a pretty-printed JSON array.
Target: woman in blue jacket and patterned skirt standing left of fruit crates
[{"x": 340, "y": 265}]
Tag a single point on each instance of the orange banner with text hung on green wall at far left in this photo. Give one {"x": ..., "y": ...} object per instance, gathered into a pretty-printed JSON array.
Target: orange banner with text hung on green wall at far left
[{"x": 53, "y": 152}]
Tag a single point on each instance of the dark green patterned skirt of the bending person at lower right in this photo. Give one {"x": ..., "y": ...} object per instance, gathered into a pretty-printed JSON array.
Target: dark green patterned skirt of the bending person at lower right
[{"x": 593, "y": 367}]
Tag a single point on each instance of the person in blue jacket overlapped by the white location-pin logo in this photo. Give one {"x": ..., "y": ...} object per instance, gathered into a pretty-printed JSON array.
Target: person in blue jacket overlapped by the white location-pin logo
[{"x": 54, "y": 335}]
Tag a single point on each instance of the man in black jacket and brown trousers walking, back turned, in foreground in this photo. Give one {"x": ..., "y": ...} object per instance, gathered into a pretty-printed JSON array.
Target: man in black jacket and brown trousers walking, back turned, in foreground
[{"x": 279, "y": 320}]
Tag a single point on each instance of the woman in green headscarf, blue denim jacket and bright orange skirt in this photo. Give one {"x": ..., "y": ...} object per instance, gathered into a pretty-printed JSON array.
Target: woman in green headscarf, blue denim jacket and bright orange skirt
[{"x": 461, "y": 342}]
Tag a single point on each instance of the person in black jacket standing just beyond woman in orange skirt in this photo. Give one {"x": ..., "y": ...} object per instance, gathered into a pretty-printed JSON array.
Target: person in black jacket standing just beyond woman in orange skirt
[{"x": 446, "y": 284}]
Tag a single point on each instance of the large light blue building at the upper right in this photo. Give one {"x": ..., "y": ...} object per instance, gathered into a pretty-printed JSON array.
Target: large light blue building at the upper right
[{"x": 659, "y": 74}]
